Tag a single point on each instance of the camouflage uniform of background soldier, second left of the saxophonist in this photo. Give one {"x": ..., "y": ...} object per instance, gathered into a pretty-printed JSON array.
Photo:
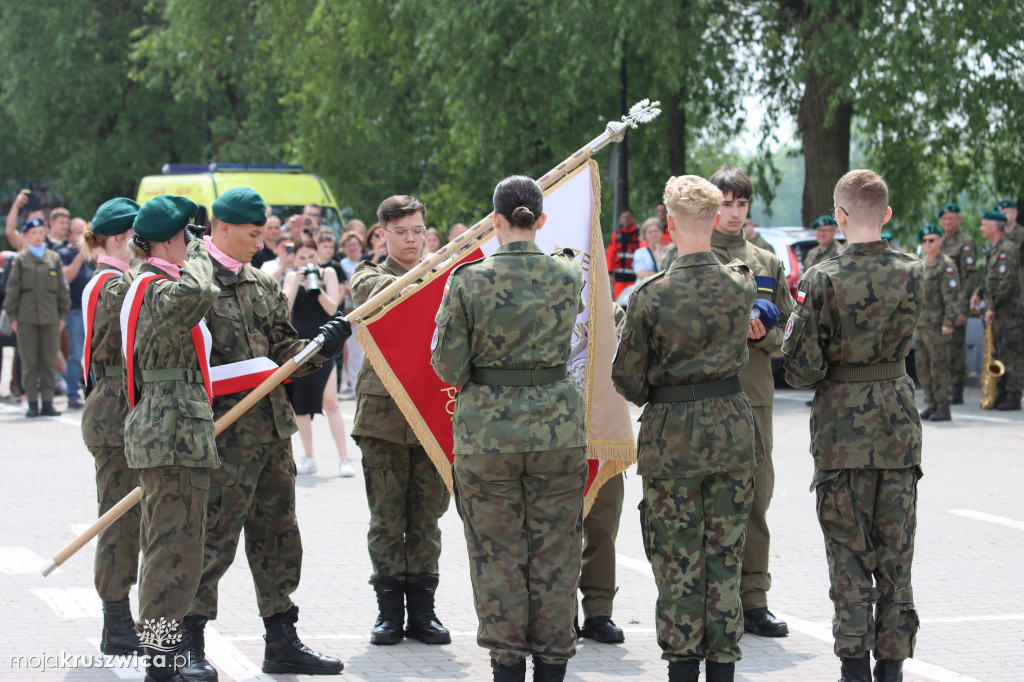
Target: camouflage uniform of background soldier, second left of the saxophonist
[{"x": 944, "y": 302}]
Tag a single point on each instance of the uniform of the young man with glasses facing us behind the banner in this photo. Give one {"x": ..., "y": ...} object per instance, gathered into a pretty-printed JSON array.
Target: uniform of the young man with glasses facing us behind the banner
[{"x": 406, "y": 494}]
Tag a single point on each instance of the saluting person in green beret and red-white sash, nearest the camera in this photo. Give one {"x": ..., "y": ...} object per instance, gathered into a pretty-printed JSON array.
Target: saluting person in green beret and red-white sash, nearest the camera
[{"x": 169, "y": 433}]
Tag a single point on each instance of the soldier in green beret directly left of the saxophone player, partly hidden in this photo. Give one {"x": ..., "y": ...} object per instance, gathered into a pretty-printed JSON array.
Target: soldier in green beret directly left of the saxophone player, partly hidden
[{"x": 960, "y": 246}]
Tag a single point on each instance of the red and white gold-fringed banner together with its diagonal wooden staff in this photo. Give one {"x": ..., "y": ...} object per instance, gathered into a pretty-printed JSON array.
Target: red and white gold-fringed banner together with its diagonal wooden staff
[{"x": 612, "y": 449}]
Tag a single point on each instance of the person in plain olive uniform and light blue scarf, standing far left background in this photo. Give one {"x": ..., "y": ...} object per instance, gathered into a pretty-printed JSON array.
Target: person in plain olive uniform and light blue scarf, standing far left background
[{"x": 37, "y": 304}]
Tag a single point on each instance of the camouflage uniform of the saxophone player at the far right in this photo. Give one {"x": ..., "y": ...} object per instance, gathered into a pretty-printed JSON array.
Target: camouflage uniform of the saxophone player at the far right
[{"x": 1002, "y": 292}]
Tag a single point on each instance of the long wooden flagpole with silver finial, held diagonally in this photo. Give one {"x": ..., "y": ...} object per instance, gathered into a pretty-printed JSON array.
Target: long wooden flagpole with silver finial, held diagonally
[{"x": 643, "y": 112}]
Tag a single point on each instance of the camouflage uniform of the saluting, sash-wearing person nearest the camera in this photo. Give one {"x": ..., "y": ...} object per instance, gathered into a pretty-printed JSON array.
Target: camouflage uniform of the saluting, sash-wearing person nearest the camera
[{"x": 169, "y": 438}]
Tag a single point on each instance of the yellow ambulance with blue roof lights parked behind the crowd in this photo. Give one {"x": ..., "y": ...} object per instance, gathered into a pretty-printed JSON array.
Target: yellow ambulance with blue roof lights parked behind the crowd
[{"x": 287, "y": 189}]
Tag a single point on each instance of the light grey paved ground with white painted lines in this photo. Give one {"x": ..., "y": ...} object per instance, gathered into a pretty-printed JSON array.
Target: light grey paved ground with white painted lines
[{"x": 968, "y": 569}]
